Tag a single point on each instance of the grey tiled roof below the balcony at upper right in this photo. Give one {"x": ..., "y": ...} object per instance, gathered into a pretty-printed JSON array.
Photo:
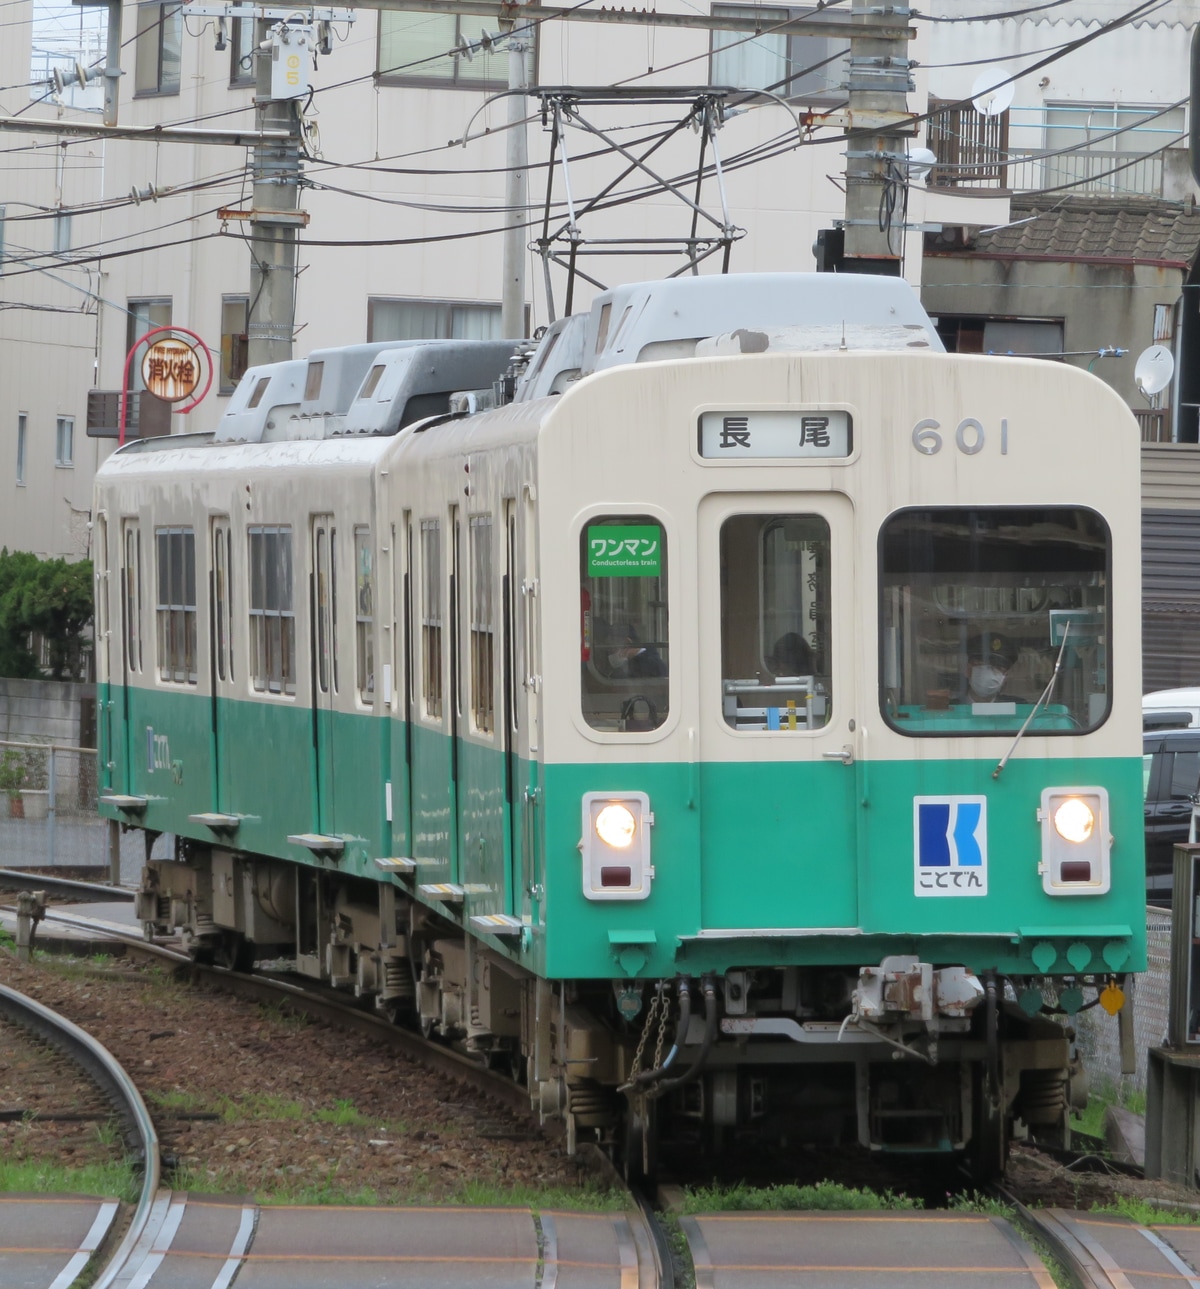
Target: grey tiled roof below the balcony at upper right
[{"x": 1098, "y": 228}]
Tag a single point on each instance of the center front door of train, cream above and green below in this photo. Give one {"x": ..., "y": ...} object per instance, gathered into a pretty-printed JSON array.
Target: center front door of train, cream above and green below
[{"x": 779, "y": 809}]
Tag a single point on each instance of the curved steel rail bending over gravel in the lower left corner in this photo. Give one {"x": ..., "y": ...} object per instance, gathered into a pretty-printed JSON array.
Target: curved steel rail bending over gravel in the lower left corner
[{"x": 108, "y": 1074}]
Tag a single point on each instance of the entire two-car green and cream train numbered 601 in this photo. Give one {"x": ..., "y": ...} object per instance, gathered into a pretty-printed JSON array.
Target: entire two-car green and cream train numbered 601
[{"x": 722, "y": 713}]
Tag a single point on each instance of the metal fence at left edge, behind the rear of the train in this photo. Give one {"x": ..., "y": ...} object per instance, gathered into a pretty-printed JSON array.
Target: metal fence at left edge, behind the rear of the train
[{"x": 48, "y": 811}]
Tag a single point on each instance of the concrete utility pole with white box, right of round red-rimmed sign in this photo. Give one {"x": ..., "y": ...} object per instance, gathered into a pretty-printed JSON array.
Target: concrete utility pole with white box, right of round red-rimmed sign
[{"x": 275, "y": 218}]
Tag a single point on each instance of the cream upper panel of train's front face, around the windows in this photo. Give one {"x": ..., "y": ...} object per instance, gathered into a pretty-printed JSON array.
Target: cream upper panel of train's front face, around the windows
[{"x": 1009, "y": 432}]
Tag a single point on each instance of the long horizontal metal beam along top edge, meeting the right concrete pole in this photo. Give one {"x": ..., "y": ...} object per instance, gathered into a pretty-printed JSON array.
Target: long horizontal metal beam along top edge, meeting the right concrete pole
[{"x": 806, "y": 25}]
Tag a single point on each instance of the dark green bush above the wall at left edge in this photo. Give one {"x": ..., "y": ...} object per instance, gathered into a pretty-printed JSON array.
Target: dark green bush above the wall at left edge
[{"x": 43, "y": 597}]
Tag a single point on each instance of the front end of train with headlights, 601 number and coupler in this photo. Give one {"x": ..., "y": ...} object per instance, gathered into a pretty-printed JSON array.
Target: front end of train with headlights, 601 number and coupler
[{"x": 842, "y": 778}]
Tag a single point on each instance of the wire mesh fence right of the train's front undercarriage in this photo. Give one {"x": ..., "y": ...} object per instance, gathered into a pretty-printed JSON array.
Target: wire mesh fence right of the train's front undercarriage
[{"x": 1098, "y": 1032}]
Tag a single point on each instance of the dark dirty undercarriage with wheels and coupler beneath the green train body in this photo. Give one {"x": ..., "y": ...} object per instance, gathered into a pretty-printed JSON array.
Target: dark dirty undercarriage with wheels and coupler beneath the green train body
[{"x": 898, "y": 1058}]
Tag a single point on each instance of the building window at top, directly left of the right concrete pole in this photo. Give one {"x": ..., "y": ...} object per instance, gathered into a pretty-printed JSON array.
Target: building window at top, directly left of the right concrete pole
[{"x": 797, "y": 68}]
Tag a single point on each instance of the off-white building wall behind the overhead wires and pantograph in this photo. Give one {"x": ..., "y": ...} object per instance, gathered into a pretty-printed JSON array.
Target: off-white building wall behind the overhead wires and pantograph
[{"x": 182, "y": 251}]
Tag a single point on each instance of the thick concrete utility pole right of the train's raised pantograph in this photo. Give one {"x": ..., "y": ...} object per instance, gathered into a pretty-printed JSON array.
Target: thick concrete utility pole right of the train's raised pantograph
[{"x": 880, "y": 84}]
